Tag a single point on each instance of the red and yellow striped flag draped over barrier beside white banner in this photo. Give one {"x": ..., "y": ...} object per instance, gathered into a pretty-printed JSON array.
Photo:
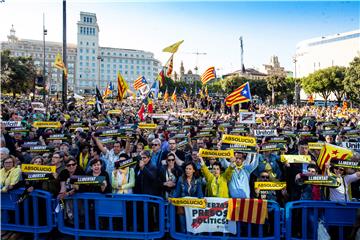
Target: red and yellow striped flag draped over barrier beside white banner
[{"x": 247, "y": 210}]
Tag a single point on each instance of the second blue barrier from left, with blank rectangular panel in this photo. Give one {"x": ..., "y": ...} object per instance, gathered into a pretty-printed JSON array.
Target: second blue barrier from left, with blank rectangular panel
[{"x": 113, "y": 215}]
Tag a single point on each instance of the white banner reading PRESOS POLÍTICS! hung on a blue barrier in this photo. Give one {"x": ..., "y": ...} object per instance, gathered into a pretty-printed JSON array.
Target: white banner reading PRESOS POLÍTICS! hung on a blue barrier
[{"x": 210, "y": 219}]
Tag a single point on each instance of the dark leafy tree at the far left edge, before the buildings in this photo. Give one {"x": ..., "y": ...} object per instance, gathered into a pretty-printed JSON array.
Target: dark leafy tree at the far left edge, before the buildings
[{"x": 18, "y": 73}]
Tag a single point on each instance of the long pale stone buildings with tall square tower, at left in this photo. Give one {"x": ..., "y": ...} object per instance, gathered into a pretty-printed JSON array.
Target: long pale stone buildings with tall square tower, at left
[{"x": 89, "y": 64}]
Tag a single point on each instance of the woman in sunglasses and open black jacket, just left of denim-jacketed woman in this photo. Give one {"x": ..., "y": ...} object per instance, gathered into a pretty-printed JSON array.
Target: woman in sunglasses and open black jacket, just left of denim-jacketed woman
[{"x": 168, "y": 175}]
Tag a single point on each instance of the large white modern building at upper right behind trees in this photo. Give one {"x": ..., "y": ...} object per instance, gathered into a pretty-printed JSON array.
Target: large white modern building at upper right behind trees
[{"x": 322, "y": 52}]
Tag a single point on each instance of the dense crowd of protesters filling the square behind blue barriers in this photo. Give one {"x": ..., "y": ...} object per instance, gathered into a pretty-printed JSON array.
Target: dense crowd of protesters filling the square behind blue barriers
[{"x": 166, "y": 160}]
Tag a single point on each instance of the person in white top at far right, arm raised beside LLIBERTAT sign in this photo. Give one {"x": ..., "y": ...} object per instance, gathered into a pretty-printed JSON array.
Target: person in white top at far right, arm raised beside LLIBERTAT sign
[{"x": 342, "y": 192}]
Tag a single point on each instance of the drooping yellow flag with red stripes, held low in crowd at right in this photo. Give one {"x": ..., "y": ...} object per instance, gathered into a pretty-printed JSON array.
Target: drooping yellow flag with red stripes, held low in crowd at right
[{"x": 330, "y": 151}]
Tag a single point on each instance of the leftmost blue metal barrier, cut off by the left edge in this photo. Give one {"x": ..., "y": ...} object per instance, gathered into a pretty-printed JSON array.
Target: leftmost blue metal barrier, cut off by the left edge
[{"x": 33, "y": 215}]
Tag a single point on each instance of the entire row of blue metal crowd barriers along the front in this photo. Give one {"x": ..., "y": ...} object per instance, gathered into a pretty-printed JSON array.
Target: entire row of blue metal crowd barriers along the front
[{"x": 150, "y": 217}]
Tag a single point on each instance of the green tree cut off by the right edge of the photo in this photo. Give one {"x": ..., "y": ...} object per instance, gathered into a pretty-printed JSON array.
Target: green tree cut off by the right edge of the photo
[{"x": 352, "y": 80}]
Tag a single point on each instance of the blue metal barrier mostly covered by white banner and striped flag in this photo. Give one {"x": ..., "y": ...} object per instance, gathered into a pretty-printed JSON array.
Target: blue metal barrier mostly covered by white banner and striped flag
[{"x": 270, "y": 230}]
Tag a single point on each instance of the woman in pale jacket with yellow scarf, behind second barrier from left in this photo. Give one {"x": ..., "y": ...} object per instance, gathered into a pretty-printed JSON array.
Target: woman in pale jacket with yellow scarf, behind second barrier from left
[{"x": 123, "y": 178}]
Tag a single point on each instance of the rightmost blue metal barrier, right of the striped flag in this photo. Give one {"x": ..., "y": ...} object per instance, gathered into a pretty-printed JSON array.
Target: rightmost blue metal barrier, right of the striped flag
[{"x": 302, "y": 218}]
